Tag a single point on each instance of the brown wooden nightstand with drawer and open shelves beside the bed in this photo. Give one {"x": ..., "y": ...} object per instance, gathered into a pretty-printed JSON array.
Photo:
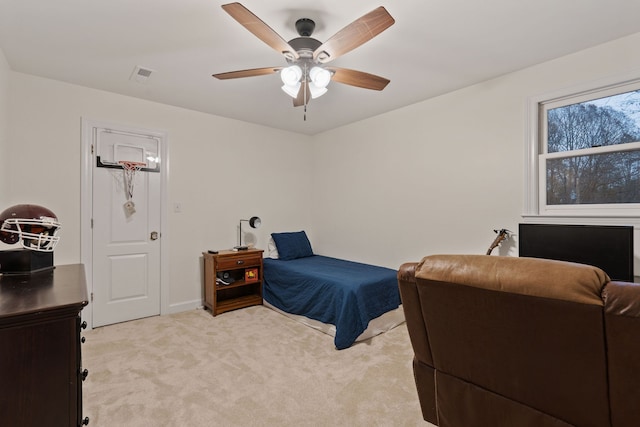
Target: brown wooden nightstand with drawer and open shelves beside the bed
[{"x": 239, "y": 280}]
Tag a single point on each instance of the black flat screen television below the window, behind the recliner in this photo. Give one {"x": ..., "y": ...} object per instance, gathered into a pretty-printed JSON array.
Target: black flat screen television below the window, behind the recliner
[{"x": 609, "y": 247}]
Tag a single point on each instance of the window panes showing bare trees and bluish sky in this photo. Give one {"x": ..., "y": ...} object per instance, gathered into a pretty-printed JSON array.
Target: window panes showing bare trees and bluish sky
[{"x": 591, "y": 151}]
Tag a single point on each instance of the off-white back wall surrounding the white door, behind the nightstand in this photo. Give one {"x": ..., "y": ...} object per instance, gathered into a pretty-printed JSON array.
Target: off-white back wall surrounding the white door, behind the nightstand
[{"x": 220, "y": 170}]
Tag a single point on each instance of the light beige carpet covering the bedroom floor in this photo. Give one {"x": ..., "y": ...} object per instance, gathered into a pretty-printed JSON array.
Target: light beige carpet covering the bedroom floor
[{"x": 249, "y": 367}]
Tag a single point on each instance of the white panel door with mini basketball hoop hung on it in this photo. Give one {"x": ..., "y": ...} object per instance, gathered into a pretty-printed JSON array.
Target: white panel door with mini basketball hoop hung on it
[{"x": 126, "y": 246}]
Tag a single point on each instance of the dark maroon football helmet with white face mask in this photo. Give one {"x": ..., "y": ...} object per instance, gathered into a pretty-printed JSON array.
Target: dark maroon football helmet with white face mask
[{"x": 36, "y": 227}]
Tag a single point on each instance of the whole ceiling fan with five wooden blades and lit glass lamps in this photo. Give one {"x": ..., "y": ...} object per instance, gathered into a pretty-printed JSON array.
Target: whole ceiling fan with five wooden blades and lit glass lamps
[{"x": 307, "y": 76}]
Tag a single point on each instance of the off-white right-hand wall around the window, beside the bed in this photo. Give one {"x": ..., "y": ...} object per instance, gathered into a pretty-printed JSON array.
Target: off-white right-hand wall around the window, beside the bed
[{"x": 440, "y": 175}]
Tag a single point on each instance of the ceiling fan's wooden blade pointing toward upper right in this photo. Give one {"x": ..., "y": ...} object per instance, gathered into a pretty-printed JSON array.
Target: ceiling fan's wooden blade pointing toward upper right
[{"x": 353, "y": 35}]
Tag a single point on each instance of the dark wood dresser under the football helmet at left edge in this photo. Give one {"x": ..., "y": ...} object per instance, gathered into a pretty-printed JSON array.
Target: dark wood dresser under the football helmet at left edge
[{"x": 40, "y": 358}]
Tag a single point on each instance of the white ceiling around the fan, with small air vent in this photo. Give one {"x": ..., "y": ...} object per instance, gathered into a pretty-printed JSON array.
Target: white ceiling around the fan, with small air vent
[{"x": 434, "y": 47}]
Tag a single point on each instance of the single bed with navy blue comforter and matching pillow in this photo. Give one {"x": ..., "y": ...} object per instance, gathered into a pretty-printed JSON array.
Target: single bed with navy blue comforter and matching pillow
[{"x": 351, "y": 301}]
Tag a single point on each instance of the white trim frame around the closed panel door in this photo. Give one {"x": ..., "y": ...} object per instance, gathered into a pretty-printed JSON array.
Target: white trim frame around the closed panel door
[{"x": 86, "y": 208}]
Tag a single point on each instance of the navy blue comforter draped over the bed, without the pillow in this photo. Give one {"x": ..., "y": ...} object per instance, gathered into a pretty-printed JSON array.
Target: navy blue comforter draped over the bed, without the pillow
[{"x": 343, "y": 293}]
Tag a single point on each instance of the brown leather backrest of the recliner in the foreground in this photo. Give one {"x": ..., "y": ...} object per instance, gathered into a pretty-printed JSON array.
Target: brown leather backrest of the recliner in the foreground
[{"x": 520, "y": 332}]
